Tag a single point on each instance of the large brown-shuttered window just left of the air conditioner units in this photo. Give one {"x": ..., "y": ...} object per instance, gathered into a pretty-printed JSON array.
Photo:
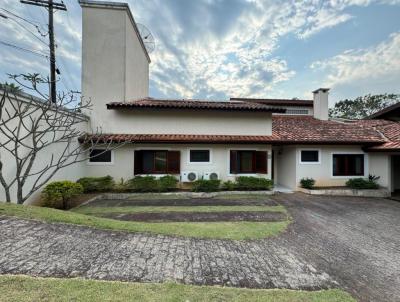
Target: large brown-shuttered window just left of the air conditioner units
[{"x": 157, "y": 162}]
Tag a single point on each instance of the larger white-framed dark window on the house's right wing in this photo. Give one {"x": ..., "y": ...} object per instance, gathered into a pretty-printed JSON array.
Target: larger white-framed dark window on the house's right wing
[{"x": 348, "y": 164}]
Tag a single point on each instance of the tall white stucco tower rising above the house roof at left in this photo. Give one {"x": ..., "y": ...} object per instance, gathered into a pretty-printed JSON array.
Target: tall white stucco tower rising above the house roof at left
[{"x": 114, "y": 64}]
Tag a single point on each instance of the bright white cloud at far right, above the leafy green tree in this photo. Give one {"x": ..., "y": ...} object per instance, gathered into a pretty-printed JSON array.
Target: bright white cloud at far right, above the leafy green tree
[{"x": 363, "y": 65}]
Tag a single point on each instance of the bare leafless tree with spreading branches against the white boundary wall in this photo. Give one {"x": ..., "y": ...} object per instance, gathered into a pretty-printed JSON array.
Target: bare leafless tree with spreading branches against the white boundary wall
[{"x": 31, "y": 127}]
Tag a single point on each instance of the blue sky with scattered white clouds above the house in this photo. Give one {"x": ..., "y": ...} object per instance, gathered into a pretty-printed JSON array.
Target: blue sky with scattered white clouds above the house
[{"x": 216, "y": 49}]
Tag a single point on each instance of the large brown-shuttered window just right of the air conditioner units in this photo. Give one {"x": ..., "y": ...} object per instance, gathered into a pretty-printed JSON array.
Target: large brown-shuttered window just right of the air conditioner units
[{"x": 248, "y": 161}]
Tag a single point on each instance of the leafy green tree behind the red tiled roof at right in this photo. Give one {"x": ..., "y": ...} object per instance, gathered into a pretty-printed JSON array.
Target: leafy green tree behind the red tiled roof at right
[{"x": 363, "y": 106}]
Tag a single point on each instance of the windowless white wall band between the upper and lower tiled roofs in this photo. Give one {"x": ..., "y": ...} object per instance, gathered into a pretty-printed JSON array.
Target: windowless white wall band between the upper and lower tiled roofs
[{"x": 146, "y": 121}]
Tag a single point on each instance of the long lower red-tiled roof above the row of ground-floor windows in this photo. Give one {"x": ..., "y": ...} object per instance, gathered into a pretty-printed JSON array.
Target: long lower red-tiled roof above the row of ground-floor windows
[{"x": 285, "y": 130}]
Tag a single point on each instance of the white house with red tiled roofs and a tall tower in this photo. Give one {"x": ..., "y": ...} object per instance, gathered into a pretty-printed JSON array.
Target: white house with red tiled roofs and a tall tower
[{"x": 283, "y": 140}]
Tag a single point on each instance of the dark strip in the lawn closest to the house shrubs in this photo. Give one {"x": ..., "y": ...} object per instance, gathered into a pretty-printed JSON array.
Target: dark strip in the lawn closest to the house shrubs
[{"x": 183, "y": 202}]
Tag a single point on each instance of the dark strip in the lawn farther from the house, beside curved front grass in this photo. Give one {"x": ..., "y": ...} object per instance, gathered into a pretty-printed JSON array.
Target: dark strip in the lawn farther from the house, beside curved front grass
[{"x": 199, "y": 216}]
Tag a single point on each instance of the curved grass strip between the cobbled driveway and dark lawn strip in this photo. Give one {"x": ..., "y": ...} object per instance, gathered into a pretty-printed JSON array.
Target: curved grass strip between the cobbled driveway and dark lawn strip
[{"x": 217, "y": 230}]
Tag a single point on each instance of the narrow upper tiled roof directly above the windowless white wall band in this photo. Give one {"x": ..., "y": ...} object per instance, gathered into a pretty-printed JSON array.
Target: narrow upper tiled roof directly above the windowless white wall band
[{"x": 192, "y": 104}]
